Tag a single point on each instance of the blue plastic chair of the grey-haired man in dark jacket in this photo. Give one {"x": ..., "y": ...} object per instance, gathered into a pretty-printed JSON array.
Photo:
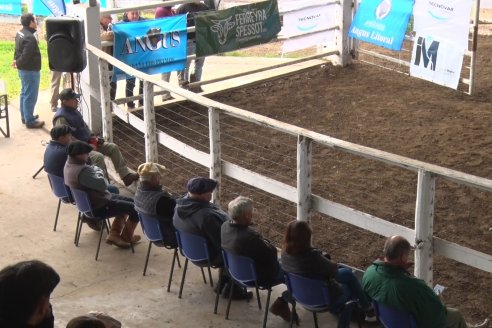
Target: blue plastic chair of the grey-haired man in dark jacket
[{"x": 242, "y": 270}]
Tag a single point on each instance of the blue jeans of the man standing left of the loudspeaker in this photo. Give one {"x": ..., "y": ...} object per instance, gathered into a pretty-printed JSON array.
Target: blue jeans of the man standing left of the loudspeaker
[{"x": 29, "y": 94}]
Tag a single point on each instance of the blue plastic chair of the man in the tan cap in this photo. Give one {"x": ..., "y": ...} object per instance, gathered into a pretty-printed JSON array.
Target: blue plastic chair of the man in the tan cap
[{"x": 152, "y": 230}]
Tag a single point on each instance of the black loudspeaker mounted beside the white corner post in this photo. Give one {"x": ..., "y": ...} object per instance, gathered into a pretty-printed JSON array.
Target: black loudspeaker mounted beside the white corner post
[{"x": 66, "y": 44}]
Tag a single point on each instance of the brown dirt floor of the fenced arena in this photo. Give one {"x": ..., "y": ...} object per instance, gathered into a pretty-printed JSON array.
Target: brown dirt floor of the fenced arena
[{"x": 374, "y": 107}]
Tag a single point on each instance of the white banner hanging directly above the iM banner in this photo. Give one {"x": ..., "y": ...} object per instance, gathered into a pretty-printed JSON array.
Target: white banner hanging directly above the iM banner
[{"x": 444, "y": 20}]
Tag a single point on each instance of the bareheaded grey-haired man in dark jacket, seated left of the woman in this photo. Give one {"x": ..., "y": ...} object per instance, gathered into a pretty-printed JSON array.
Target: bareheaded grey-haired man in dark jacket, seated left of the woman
[{"x": 239, "y": 238}]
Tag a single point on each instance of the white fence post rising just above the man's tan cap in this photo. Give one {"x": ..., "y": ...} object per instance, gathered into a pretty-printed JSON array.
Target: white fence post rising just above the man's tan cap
[{"x": 151, "y": 154}]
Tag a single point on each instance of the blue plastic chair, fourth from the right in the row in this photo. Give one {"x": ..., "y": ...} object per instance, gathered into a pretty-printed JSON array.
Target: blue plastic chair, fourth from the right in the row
[{"x": 195, "y": 249}]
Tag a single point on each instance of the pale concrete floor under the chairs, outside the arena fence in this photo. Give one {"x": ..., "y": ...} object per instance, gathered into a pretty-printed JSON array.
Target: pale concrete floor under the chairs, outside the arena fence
[{"x": 114, "y": 284}]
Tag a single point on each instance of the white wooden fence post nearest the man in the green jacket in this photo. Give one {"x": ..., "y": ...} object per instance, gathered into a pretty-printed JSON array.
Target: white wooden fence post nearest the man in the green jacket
[{"x": 424, "y": 226}]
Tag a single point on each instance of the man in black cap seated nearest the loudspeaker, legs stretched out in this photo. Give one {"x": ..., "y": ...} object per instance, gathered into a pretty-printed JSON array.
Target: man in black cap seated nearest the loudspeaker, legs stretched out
[{"x": 68, "y": 114}]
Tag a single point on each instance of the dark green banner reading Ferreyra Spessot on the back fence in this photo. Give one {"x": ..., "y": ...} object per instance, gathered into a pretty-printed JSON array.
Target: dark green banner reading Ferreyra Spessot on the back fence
[{"x": 236, "y": 28}]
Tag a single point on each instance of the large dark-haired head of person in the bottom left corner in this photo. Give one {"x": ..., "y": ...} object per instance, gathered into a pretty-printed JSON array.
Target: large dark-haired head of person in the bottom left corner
[{"x": 25, "y": 290}]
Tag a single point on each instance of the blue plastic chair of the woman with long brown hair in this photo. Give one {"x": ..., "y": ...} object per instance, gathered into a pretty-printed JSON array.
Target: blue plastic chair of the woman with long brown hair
[{"x": 313, "y": 295}]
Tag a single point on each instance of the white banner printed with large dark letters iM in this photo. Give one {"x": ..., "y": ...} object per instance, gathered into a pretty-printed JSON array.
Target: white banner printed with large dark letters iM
[{"x": 438, "y": 61}]
